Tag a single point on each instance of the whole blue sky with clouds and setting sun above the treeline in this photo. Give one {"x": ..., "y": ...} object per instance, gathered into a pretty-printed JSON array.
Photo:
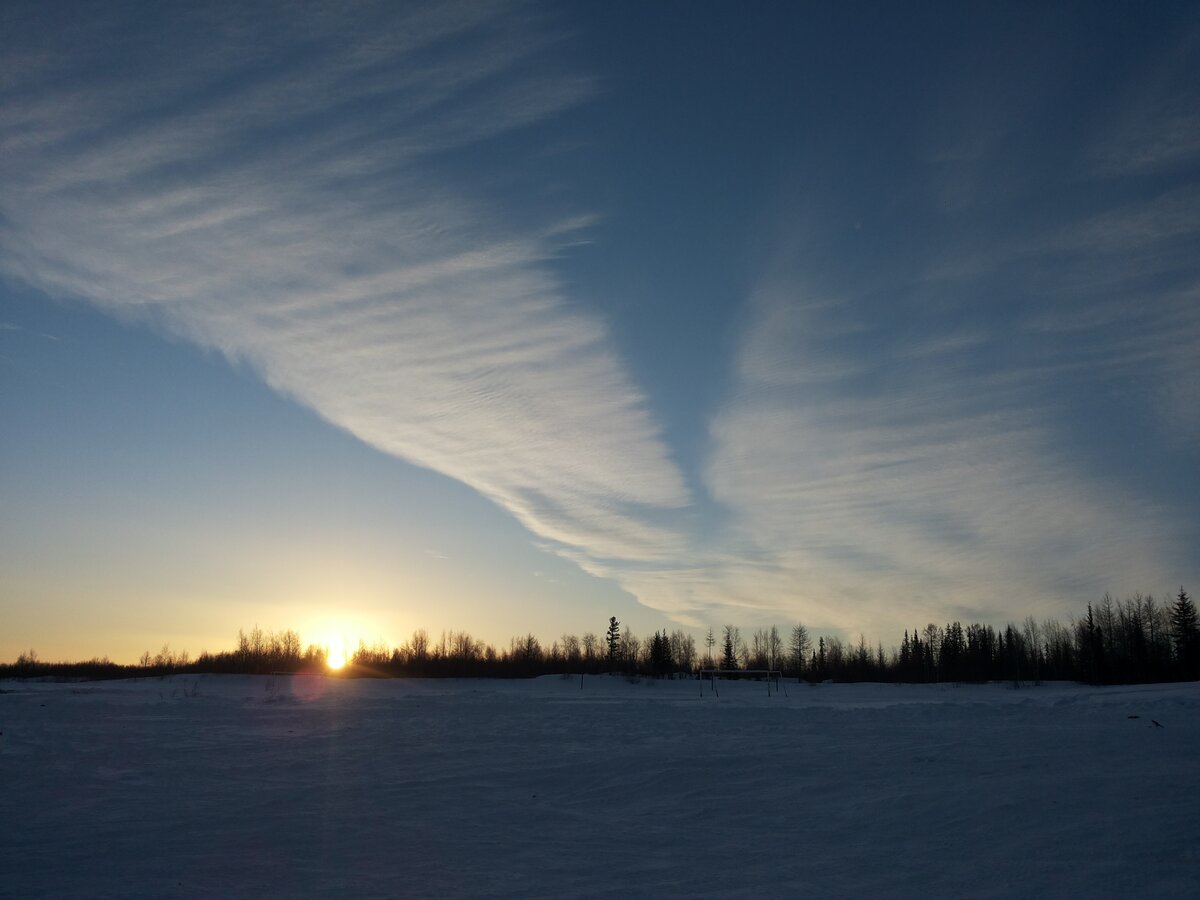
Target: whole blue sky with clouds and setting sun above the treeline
[{"x": 509, "y": 317}]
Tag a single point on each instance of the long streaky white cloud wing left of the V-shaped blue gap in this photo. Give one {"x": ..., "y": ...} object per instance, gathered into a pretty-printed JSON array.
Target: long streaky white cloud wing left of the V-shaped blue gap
[{"x": 290, "y": 205}]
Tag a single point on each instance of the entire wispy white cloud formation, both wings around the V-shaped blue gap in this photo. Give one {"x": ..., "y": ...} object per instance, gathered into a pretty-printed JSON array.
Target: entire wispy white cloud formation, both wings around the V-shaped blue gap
[{"x": 307, "y": 194}]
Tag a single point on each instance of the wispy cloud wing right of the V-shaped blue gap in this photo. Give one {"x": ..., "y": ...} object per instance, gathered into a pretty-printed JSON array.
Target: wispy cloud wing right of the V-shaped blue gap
[{"x": 889, "y": 453}]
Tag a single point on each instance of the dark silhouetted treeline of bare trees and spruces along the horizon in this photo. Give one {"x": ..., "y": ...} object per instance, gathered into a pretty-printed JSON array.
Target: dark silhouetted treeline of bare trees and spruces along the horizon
[{"x": 1117, "y": 641}]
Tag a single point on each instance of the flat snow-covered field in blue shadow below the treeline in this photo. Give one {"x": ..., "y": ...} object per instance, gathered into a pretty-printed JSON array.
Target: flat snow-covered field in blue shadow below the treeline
[{"x": 253, "y": 787}]
